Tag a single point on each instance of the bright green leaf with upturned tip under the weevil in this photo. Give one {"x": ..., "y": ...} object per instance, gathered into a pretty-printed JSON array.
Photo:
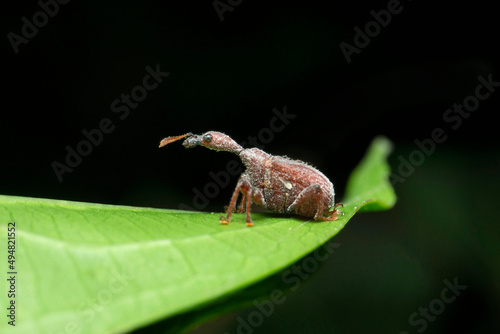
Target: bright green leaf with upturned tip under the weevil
[{"x": 92, "y": 268}]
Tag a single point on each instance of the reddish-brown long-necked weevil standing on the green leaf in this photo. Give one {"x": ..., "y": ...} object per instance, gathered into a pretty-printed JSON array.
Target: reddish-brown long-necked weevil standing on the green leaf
[{"x": 277, "y": 183}]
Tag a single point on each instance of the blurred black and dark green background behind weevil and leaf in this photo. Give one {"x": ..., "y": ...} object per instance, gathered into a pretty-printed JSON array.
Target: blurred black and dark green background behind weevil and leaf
[{"x": 228, "y": 76}]
